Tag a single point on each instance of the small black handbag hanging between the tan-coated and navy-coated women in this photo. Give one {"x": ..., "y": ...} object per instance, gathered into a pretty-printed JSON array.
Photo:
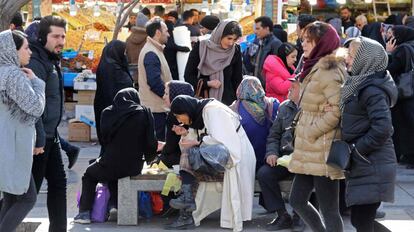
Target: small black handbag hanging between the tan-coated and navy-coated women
[{"x": 340, "y": 154}]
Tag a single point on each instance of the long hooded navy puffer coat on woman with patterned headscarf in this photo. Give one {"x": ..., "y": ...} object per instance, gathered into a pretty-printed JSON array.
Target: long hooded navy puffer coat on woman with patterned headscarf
[{"x": 366, "y": 122}]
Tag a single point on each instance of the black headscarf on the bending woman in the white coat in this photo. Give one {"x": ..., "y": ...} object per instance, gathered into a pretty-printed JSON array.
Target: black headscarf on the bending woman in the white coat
[{"x": 191, "y": 106}]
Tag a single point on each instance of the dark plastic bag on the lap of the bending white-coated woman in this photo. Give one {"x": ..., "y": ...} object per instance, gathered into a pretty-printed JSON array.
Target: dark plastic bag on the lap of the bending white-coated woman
[{"x": 209, "y": 159}]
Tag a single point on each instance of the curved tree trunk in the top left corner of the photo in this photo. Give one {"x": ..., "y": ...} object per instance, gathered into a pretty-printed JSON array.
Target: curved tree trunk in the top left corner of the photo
[{"x": 7, "y": 10}]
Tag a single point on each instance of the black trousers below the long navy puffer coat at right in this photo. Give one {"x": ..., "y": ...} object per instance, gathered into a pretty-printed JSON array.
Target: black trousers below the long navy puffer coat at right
[{"x": 363, "y": 218}]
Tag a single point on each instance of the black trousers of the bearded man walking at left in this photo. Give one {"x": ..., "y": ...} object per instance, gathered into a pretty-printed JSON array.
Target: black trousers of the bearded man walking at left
[{"x": 49, "y": 165}]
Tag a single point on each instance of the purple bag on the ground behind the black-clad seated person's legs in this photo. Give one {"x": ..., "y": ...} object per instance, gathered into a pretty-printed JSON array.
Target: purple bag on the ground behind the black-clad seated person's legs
[{"x": 100, "y": 204}]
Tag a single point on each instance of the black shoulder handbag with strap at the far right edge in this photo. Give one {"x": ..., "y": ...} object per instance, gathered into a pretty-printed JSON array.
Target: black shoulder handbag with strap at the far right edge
[{"x": 405, "y": 82}]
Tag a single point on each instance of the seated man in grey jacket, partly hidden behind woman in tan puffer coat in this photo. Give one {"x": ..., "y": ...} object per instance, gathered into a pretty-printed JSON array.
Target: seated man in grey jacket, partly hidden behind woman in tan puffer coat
[{"x": 279, "y": 143}]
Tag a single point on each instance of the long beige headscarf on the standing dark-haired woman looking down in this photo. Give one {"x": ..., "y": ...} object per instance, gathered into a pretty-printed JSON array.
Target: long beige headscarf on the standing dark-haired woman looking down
[{"x": 214, "y": 59}]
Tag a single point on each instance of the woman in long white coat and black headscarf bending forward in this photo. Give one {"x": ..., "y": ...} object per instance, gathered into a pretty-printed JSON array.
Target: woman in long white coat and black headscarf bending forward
[{"x": 222, "y": 126}]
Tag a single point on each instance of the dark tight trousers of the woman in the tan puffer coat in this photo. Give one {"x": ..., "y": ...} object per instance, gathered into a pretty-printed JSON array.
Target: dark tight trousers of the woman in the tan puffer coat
[{"x": 327, "y": 193}]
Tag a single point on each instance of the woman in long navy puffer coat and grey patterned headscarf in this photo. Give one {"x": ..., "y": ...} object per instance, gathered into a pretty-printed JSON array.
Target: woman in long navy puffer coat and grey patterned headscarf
[{"x": 366, "y": 98}]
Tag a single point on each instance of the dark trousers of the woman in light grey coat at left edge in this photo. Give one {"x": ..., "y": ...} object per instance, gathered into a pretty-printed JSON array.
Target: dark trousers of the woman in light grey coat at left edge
[{"x": 15, "y": 208}]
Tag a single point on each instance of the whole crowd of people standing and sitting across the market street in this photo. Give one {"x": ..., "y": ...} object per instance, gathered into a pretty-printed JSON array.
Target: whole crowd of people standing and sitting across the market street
[{"x": 273, "y": 100}]
